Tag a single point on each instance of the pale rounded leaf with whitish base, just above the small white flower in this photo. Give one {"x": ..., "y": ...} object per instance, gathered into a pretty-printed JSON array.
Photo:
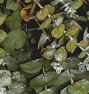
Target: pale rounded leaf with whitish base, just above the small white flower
[{"x": 60, "y": 54}]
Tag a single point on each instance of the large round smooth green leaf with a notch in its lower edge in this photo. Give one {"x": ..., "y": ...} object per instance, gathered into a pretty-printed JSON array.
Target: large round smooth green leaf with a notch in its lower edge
[{"x": 15, "y": 40}]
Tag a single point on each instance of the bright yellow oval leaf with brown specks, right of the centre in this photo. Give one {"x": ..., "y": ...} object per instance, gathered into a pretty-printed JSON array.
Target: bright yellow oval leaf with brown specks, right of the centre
[{"x": 58, "y": 31}]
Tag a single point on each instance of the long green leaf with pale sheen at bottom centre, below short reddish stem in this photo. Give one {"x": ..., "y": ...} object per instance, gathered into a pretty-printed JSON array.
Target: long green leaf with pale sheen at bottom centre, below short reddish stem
[{"x": 43, "y": 80}]
